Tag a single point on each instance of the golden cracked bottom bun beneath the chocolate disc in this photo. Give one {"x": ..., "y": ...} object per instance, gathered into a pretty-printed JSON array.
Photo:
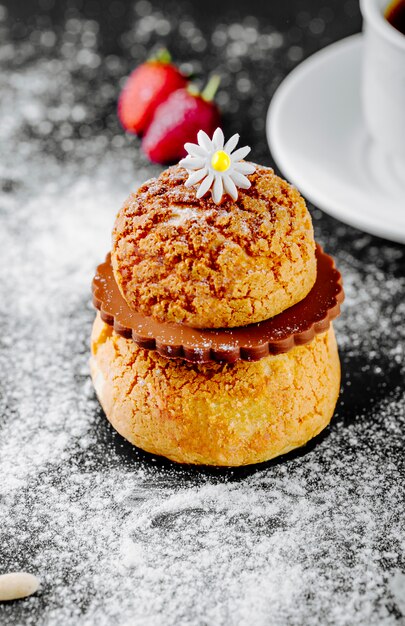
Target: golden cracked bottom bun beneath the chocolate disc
[{"x": 215, "y": 414}]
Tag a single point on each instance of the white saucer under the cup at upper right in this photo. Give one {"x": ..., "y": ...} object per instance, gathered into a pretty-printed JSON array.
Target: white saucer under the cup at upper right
[{"x": 317, "y": 136}]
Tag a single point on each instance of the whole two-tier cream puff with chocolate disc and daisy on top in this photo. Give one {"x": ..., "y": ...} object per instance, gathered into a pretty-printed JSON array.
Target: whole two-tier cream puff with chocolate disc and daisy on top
[{"x": 213, "y": 343}]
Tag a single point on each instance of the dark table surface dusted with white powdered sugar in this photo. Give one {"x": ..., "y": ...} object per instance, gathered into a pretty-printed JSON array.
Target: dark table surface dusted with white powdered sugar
[{"x": 115, "y": 535}]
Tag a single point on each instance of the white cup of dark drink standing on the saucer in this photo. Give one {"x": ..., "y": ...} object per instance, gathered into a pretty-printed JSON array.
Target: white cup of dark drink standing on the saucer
[{"x": 383, "y": 88}]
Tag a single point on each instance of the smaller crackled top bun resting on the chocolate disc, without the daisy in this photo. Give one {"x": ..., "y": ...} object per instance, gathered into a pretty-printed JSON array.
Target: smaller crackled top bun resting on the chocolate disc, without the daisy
[{"x": 186, "y": 260}]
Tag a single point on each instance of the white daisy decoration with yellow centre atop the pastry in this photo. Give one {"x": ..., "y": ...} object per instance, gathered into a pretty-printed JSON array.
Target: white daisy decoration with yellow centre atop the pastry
[{"x": 216, "y": 166}]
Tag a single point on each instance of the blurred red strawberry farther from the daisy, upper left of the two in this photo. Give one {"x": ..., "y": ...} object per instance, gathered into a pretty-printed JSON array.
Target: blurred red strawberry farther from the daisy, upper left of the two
[{"x": 148, "y": 86}]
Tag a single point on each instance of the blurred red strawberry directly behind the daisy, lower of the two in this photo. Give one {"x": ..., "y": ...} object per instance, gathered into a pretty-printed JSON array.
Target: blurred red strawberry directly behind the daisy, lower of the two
[{"x": 178, "y": 120}]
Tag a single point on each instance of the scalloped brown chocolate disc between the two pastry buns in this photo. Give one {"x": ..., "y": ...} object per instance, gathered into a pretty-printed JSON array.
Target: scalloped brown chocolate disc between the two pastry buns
[{"x": 295, "y": 326}]
